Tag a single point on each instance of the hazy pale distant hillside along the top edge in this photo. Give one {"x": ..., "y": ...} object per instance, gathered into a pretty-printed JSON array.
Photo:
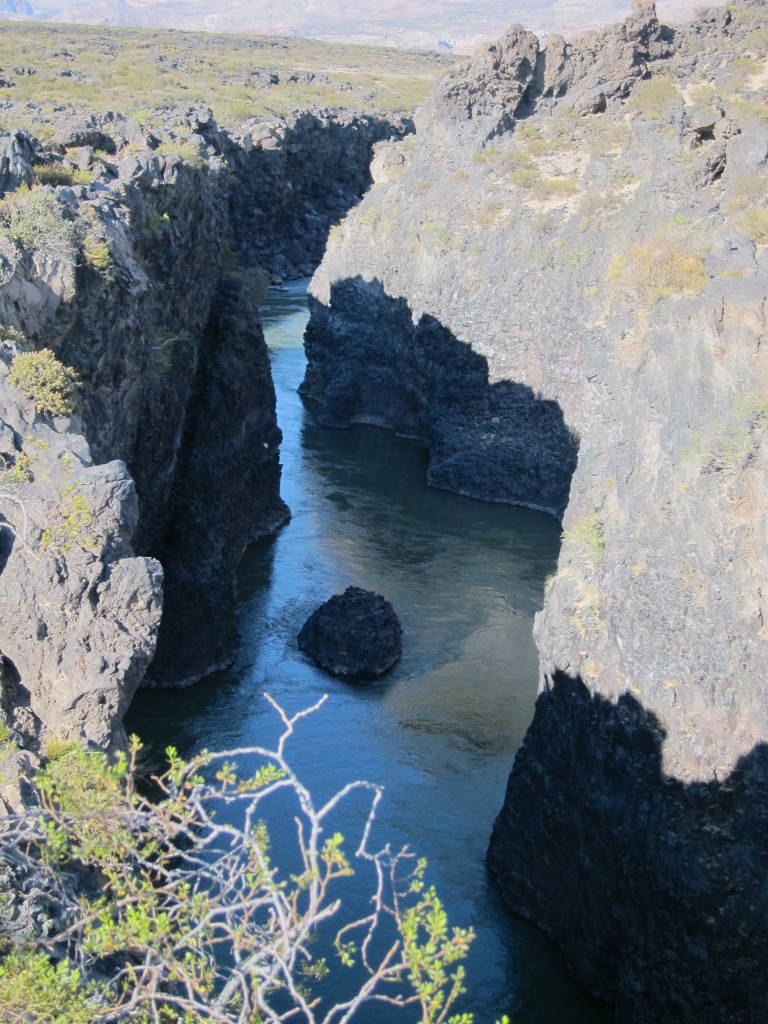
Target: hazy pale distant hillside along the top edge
[{"x": 459, "y": 25}]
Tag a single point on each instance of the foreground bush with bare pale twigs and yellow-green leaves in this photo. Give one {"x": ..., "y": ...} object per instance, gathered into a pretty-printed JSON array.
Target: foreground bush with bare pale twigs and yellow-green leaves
[{"x": 191, "y": 876}]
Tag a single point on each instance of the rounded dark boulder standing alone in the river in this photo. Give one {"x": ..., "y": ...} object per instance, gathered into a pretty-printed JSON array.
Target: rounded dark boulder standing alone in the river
[{"x": 356, "y": 635}]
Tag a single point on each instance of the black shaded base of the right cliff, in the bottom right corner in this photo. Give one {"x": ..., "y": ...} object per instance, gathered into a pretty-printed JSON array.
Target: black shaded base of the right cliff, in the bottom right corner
[{"x": 655, "y": 889}]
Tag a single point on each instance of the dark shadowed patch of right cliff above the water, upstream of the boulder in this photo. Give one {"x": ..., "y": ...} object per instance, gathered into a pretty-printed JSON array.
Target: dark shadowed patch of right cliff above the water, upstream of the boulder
[{"x": 369, "y": 362}]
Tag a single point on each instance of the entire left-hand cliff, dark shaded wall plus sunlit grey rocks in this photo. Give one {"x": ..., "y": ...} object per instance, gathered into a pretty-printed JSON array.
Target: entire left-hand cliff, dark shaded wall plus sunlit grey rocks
[{"x": 140, "y": 255}]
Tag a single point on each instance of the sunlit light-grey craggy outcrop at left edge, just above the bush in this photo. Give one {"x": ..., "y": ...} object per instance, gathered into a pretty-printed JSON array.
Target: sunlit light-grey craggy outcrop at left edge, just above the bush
[{"x": 80, "y": 611}]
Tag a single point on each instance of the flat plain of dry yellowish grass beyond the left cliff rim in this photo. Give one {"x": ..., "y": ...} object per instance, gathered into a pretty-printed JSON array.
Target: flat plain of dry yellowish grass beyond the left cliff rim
[{"x": 139, "y": 70}]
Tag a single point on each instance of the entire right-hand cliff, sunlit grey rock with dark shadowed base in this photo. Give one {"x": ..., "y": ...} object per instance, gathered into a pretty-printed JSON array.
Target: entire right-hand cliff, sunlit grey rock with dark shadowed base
[{"x": 560, "y": 286}]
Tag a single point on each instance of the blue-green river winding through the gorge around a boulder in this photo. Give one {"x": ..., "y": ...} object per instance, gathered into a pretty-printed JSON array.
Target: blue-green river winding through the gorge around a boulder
[{"x": 442, "y": 730}]
